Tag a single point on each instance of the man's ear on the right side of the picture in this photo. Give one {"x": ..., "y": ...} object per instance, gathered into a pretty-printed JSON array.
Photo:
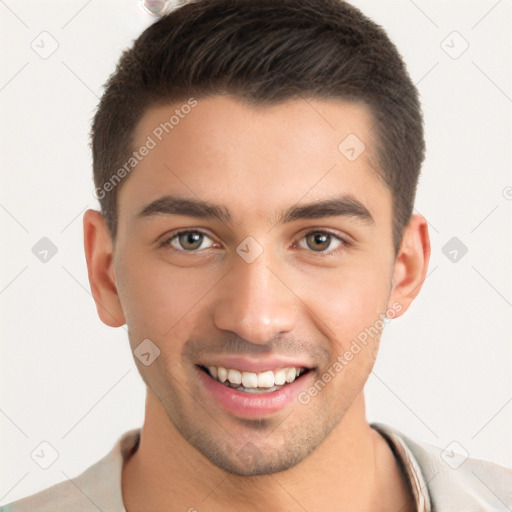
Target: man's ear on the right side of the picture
[{"x": 411, "y": 263}]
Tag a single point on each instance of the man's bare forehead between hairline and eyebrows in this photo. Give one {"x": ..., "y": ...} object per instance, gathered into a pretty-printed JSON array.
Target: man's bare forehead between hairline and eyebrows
[{"x": 255, "y": 159}]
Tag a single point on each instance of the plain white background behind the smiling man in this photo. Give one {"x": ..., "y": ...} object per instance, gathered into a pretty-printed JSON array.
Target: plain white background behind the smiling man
[{"x": 443, "y": 372}]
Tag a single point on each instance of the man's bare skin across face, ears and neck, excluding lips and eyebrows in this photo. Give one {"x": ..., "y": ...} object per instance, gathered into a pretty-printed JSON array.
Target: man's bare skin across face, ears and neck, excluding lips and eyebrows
[{"x": 291, "y": 301}]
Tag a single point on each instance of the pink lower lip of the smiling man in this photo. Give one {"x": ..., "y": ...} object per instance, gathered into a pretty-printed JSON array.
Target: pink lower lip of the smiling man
[{"x": 252, "y": 405}]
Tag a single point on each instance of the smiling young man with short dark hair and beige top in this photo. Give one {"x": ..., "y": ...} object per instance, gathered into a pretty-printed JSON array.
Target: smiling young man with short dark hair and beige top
[{"x": 256, "y": 164}]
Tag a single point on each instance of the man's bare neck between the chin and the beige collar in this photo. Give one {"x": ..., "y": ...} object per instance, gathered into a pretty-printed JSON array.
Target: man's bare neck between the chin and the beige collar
[{"x": 353, "y": 469}]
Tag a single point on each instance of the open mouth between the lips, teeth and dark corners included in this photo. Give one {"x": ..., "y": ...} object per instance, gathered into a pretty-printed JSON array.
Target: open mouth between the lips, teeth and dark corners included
[{"x": 252, "y": 382}]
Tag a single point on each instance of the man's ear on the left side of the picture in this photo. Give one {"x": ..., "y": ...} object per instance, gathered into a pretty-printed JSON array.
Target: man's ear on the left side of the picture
[{"x": 99, "y": 256}]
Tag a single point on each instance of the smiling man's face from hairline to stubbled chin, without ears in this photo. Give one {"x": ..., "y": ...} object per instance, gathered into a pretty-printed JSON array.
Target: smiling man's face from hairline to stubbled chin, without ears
[{"x": 250, "y": 243}]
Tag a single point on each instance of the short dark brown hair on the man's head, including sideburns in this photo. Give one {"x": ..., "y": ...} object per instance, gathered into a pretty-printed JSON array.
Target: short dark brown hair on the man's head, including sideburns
[{"x": 264, "y": 52}]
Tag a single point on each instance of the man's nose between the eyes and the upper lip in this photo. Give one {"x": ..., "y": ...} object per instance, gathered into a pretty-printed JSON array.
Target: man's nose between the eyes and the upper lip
[{"x": 256, "y": 302}]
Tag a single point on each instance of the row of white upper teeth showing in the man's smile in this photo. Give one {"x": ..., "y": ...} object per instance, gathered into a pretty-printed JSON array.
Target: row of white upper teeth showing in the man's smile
[{"x": 265, "y": 380}]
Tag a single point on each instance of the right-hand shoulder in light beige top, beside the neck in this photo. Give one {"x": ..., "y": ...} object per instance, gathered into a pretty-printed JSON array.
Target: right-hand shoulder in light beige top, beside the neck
[{"x": 456, "y": 481}]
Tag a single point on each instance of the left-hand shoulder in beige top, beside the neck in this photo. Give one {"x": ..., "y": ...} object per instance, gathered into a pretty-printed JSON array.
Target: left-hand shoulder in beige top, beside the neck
[{"x": 96, "y": 488}]
